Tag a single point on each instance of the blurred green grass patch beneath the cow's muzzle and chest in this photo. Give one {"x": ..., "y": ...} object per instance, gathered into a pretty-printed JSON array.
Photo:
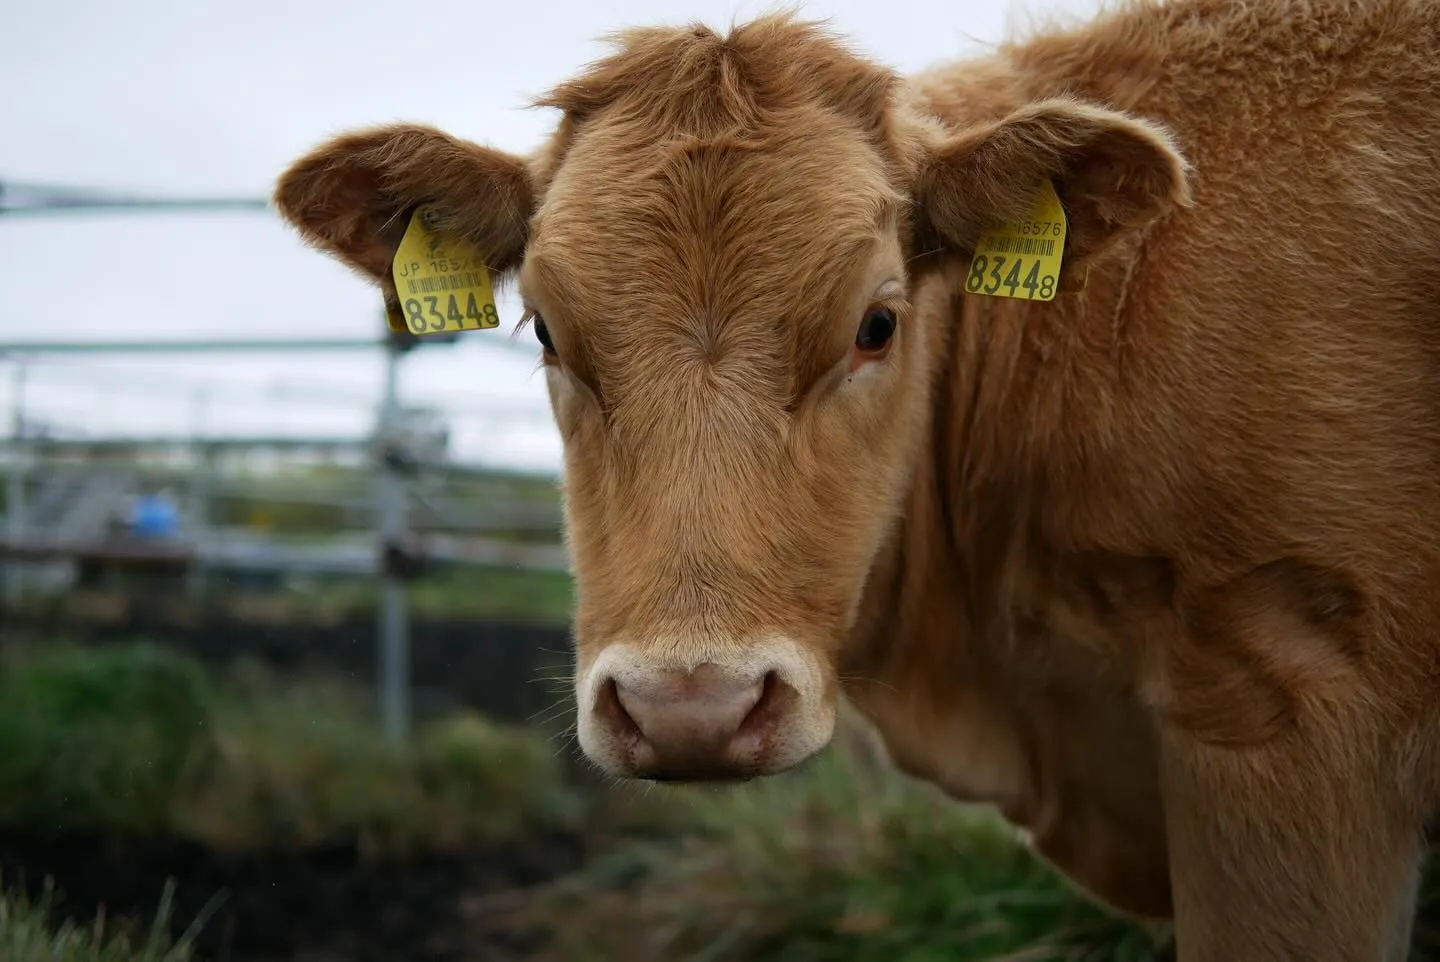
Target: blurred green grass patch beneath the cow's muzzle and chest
[{"x": 843, "y": 862}]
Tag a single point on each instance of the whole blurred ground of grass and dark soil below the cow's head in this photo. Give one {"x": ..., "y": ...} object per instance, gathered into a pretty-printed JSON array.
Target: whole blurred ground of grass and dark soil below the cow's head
[{"x": 127, "y": 767}]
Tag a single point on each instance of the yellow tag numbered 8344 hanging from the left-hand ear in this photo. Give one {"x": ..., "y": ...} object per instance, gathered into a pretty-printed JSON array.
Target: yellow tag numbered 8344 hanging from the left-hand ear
[{"x": 443, "y": 283}]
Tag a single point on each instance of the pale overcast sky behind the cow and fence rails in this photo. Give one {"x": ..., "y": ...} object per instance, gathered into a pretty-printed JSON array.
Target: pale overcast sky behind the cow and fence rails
[{"x": 195, "y": 97}]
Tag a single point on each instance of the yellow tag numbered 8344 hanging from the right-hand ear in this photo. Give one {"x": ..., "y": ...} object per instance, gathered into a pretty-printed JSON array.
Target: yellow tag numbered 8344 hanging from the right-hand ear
[{"x": 1023, "y": 260}]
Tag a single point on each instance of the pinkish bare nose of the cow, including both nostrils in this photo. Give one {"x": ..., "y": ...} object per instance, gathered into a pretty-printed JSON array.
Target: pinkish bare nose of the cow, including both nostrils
[{"x": 709, "y": 724}]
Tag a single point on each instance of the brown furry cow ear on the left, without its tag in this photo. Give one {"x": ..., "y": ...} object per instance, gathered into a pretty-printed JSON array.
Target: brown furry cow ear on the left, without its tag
[{"x": 354, "y": 197}]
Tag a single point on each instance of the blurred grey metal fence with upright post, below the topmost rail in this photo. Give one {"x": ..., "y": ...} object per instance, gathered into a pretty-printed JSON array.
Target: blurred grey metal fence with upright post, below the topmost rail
[{"x": 68, "y": 516}]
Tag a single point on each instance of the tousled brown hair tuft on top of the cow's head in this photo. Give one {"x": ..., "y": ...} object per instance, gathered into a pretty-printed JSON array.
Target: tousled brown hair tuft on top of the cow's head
[{"x": 698, "y": 83}]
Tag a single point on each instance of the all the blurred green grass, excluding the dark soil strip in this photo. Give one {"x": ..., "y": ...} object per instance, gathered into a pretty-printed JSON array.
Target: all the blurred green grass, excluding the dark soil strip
[{"x": 840, "y": 862}]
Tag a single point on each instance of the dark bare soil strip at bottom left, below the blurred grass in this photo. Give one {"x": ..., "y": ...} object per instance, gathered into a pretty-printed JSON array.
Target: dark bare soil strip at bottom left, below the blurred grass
[{"x": 320, "y": 905}]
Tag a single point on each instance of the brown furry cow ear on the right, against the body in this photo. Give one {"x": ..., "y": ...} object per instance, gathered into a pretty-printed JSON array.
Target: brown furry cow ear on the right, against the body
[{"x": 1114, "y": 174}]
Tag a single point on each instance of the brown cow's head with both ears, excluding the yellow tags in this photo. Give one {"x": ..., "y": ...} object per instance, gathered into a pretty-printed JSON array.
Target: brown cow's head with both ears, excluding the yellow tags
[{"x": 718, "y": 256}]
